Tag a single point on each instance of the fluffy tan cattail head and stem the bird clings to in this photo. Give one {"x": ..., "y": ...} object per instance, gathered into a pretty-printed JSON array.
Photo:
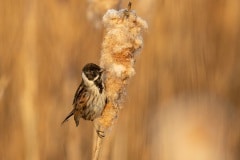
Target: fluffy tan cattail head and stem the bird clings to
[{"x": 122, "y": 41}]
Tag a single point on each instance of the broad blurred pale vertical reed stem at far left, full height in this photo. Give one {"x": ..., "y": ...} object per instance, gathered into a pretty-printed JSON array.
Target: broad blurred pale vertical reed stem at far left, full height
[{"x": 28, "y": 69}]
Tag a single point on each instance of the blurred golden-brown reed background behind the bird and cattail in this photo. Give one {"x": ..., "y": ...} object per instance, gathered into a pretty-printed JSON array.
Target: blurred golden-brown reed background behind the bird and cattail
[{"x": 182, "y": 104}]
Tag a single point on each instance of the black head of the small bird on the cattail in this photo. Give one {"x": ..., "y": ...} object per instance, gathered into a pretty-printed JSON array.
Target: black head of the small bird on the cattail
[{"x": 92, "y": 71}]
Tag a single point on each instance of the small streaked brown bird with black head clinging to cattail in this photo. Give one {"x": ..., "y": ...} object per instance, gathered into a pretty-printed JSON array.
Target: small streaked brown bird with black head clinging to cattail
[{"x": 90, "y": 98}]
